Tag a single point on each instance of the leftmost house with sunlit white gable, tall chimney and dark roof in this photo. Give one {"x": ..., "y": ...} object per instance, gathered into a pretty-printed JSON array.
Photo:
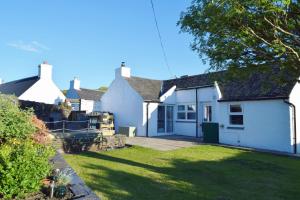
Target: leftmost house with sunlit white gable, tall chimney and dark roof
[{"x": 40, "y": 88}]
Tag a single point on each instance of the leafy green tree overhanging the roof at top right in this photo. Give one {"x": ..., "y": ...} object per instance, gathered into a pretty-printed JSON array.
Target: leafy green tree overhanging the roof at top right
[{"x": 251, "y": 34}]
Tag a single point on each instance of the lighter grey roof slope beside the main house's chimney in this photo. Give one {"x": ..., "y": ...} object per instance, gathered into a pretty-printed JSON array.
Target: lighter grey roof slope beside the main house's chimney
[{"x": 149, "y": 89}]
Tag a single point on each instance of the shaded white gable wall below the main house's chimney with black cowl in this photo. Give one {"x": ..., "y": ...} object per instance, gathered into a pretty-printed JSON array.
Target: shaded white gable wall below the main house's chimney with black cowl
[{"x": 126, "y": 105}]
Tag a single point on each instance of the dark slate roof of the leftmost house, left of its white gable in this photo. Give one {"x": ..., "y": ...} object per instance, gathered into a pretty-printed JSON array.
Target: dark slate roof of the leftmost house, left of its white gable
[{"x": 18, "y": 87}]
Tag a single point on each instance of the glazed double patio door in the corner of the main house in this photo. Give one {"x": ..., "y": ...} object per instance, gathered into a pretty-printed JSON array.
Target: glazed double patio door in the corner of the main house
[{"x": 165, "y": 119}]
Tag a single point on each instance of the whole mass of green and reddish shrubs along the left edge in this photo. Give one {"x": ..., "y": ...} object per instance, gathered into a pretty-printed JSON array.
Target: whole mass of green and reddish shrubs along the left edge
[{"x": 24, "y": 152}]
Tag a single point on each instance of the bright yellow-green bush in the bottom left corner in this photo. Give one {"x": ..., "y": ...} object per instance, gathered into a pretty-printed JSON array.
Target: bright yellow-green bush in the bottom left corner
[{"x": 23, "y": 164}]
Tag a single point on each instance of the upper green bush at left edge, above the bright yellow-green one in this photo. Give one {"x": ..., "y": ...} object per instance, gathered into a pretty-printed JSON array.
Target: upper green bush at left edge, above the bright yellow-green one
[{"x": 14, "y": 122}]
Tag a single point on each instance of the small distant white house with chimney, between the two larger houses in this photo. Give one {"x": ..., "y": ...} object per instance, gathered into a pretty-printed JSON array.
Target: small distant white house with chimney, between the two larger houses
[{"x": 83, "y": 99}]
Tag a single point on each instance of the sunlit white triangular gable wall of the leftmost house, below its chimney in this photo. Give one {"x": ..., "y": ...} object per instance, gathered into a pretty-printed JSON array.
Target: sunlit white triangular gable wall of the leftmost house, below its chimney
[{"x": 43, "y": 91}]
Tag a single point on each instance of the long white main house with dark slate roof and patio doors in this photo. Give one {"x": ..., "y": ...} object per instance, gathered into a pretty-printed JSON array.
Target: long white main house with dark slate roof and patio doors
[{"x": 257, "y": 112}]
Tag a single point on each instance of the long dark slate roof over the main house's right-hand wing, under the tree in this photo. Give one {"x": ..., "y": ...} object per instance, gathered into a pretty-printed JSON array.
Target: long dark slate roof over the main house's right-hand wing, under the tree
[{"x": 256, "y": 86}]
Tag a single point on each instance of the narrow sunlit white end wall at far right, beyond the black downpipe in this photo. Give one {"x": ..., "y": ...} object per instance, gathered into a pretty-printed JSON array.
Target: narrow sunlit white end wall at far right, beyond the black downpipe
[{"x": 295, "y": 99}]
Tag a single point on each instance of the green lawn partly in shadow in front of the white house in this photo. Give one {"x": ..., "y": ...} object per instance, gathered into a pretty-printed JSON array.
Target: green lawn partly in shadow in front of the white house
[{"x": 201, "y": 172}]
